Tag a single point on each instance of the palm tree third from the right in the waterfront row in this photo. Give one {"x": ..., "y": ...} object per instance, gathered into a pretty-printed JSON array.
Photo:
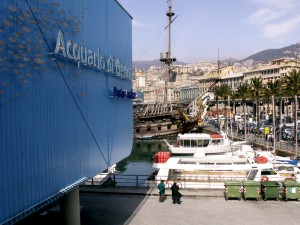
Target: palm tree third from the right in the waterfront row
[{"x": 256, "y": 93}]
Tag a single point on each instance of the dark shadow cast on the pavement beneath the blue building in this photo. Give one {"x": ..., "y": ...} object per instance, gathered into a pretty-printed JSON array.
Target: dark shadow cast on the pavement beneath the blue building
[{"x": 106, "y": 207}]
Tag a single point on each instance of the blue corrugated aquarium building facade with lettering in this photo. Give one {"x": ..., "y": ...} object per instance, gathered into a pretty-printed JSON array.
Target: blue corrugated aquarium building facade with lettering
[{"x": 65, "y": 97}]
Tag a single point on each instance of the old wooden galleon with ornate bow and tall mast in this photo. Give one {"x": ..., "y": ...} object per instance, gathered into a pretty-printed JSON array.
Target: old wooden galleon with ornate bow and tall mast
[{"x": 165, "y": 118}]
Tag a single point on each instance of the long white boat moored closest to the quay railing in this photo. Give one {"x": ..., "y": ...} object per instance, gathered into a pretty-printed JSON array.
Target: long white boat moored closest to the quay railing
[{"x": 212, "y": 170}]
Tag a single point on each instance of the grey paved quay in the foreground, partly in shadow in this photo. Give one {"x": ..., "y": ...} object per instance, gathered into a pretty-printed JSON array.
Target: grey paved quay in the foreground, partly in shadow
[{"x": 140, "y": 206}]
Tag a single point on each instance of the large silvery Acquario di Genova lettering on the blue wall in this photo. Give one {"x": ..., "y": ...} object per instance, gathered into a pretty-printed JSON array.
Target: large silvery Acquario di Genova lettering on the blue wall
[{"x": 93, "y": 59}]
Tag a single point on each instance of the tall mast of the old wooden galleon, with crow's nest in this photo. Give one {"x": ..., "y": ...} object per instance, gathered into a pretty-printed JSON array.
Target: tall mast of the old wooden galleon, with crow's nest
[{"x": 166, "y": 58}]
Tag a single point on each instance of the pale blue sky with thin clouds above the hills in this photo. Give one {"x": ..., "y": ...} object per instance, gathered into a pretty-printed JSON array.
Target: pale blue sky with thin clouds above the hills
[{"x": 204, "y": 29}]
